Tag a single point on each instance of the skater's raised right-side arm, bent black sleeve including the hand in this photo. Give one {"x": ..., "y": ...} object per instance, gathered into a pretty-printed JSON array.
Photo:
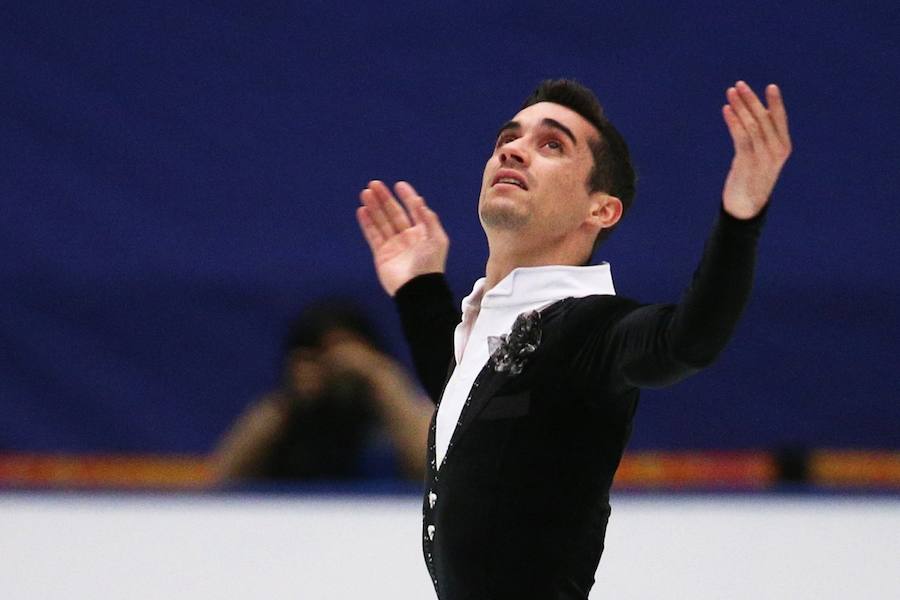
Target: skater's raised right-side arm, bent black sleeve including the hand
[{"x": 657, "y": 345}]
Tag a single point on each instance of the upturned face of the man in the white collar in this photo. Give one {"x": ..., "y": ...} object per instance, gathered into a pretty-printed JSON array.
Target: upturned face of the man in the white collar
[{"x": 535, "y": 182}]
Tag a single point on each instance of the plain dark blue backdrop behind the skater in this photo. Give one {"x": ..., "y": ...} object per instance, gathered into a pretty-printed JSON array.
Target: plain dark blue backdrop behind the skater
[{"x": 178, "y": 178}]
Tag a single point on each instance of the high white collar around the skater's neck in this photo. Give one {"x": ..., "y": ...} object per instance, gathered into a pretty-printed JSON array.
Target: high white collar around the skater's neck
[{"x": 548, "y": 283}]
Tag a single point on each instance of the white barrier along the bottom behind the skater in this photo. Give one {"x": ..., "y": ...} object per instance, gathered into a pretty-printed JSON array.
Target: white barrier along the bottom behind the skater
[{"x": 222, "y": 547}]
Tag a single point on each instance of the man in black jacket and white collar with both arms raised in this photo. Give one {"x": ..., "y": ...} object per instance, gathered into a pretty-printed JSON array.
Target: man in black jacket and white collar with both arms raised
[{"x": 547, "y": 362}]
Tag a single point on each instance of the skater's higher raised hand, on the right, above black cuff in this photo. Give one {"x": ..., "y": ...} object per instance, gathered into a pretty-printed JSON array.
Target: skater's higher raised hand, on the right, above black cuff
[{"x": 762, "y": 144}]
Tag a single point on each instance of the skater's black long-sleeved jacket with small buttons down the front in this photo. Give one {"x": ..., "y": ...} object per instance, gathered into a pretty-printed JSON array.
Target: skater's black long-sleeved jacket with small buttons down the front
[{"x": 519, "y": 507}]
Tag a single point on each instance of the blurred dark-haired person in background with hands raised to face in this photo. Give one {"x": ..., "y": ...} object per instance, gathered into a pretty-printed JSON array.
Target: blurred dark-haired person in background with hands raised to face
[{"x": 344, "y": 409}]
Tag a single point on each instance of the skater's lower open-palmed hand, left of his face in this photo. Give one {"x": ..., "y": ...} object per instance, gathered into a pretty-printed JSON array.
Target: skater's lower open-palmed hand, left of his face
[{"x": 406, "y": 240}]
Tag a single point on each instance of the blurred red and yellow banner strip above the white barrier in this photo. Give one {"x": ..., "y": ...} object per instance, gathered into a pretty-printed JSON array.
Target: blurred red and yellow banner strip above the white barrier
[{"x": 843, "y": 469}]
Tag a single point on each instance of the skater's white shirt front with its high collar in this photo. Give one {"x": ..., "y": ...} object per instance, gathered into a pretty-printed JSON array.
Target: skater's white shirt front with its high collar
[{"x": 493, "y": 313}]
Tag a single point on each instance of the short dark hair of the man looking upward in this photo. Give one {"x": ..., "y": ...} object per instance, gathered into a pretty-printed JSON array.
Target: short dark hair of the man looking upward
[{"x": 613, "y": 172}]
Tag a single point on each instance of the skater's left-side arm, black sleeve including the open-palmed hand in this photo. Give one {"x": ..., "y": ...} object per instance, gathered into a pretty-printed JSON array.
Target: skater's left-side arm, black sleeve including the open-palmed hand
[{"x": 409, "y": 247}]
